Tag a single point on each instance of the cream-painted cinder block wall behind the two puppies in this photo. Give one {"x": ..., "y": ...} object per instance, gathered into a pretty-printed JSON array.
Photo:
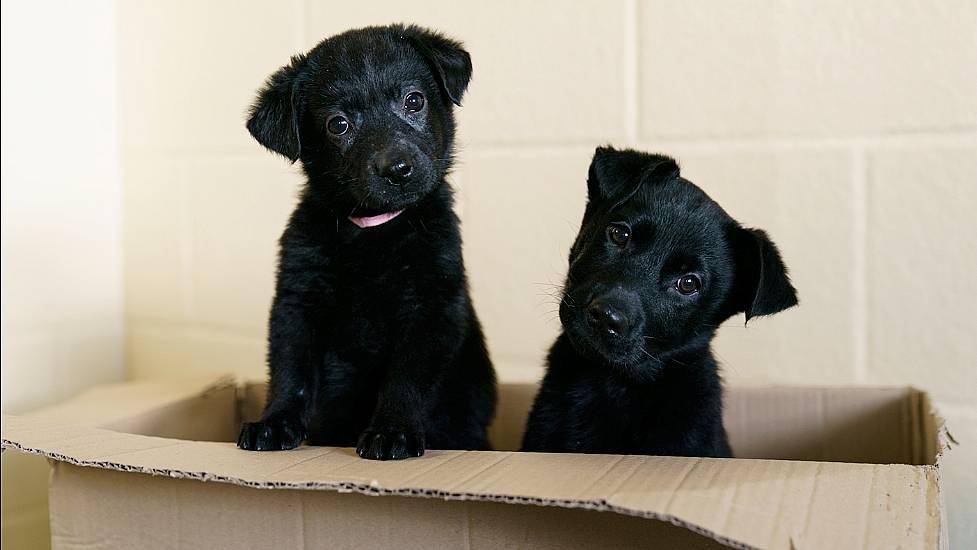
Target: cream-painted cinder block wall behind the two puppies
[{"x": 846, "y": 129}]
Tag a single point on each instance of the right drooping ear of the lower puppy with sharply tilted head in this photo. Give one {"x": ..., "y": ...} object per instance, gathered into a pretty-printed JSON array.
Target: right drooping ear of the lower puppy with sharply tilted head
[{"x": 762, "y": 285}]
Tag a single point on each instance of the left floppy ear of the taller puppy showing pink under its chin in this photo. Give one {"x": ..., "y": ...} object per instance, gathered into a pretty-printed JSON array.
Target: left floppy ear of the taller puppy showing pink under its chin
[{"x": 273, "y": 119}]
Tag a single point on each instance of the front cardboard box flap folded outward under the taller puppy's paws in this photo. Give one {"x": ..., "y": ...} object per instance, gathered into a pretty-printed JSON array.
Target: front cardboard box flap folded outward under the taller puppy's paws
[{"x": 741, "y": 503}]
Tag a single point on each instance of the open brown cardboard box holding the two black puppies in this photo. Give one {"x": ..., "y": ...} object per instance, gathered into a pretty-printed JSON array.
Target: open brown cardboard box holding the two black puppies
[{"x": 151, "y": 465}]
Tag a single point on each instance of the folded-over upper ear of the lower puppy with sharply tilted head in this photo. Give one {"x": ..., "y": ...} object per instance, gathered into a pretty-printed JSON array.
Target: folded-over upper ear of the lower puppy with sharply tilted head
[{"x": 617, "y": 174}]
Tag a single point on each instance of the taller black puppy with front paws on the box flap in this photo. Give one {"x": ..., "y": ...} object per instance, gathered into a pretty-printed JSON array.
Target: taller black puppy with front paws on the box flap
[{"x": 373, "y": 341}]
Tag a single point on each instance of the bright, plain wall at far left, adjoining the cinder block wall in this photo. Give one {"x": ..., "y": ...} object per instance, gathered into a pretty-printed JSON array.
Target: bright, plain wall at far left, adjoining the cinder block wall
[{"x": 62, "y": 227}]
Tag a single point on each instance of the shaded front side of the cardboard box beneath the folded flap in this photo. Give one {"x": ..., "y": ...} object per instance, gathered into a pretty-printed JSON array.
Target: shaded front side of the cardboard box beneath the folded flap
[{"x": 144, "y": 512}]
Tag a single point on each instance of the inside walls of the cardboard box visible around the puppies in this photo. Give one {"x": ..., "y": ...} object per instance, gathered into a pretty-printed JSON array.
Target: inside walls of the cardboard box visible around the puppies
[{"x": 860, "y": 425}]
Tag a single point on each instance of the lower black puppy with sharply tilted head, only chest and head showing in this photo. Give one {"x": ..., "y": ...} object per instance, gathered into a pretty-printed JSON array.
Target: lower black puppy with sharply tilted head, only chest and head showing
[{"x": 656, "y": 268}]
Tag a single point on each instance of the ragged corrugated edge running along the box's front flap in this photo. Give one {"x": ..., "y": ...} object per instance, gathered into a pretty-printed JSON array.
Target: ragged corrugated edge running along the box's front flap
[{"x": 368, "y": 489}]
